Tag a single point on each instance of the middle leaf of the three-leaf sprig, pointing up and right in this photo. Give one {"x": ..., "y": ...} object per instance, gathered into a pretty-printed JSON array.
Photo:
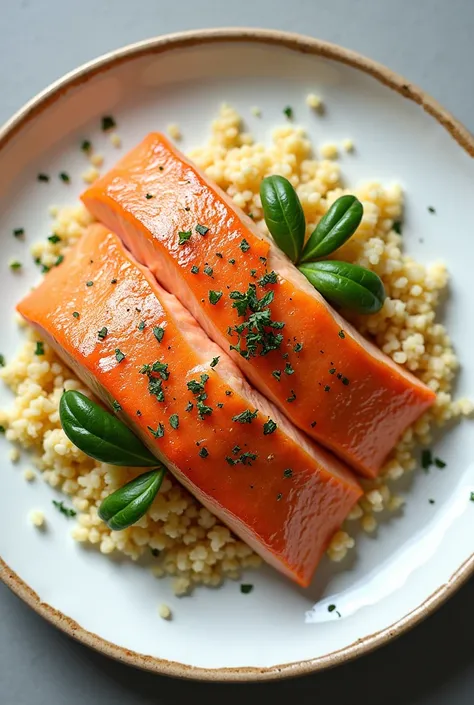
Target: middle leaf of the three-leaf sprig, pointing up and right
[{"x": 334, "y": 229}]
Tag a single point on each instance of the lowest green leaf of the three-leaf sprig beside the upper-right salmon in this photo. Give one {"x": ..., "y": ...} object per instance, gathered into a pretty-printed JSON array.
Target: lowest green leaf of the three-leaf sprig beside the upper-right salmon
[{"x": 347, "y": 285}]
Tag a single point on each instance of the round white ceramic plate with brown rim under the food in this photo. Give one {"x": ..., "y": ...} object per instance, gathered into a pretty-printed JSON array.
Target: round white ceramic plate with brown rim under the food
[{"x": 415, "y": 561}]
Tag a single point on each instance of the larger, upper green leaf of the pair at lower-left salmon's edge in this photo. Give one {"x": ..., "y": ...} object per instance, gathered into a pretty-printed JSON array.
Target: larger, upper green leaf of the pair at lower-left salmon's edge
[{"x": 100, "y": 434}]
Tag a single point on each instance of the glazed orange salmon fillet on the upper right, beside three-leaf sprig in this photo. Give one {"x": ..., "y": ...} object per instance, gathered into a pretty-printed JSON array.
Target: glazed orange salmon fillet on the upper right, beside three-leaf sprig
[{"x": 332, "y": 383}]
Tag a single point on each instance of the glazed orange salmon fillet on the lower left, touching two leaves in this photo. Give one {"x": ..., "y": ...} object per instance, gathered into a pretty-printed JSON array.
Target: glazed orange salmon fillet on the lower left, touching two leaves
[{"x": 273, "y": 487}]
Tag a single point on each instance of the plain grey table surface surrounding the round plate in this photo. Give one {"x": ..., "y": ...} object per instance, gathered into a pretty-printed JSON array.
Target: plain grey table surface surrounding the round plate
[{"x": 431, "y": 43}]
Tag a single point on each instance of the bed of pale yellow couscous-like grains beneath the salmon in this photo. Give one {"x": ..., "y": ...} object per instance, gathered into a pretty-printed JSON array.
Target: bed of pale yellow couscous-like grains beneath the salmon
[{"x": 183, "y": 539}]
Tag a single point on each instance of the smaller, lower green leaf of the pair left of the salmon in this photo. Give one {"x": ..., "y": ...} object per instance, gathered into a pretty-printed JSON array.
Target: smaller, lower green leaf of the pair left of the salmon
[{"x": 128, "y": 504}]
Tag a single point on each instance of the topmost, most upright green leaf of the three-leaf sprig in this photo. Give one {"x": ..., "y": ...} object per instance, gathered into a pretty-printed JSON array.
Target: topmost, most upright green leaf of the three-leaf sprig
[{"x": 283, "y": 215}]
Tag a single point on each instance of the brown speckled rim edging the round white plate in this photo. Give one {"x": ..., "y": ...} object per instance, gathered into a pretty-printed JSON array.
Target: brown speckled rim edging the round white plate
[{"x": 304, "y": 45}]
